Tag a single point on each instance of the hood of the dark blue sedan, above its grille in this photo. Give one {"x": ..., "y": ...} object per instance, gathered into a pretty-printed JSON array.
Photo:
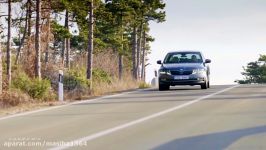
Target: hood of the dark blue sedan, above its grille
[{"x": 184, "y": 66}]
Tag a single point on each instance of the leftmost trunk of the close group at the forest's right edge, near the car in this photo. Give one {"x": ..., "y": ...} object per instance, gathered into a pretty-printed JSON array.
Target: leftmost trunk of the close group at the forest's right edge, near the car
[{"x": 134, "y": 50}]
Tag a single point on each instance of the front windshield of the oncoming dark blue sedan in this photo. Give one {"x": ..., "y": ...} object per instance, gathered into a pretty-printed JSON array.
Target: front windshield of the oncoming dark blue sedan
[{"x": 183, "y": 57}]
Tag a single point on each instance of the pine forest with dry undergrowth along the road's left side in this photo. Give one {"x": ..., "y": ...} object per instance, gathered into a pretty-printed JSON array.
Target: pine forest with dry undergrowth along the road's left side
[{"x": 101, "y": 46}]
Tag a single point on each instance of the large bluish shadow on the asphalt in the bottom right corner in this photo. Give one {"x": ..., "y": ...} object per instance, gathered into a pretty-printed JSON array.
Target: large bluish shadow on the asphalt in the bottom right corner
[{"x": 218, "y": 141}]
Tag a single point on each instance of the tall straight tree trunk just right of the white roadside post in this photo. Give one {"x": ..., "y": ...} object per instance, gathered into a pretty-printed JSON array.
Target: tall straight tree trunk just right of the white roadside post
[{"x": 90, "y": 44}]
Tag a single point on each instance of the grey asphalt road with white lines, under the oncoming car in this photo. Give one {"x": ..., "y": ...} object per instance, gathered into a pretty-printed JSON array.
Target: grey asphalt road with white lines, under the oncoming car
[{"x": 222, "y": 117}]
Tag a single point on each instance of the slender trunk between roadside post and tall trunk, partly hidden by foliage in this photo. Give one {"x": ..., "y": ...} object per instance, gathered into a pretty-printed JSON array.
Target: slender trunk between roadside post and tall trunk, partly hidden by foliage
[{"x": 67, "y": 41}]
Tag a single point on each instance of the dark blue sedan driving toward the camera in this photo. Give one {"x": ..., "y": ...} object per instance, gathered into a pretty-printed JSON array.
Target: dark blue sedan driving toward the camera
[{"x": 184, "y": 68}]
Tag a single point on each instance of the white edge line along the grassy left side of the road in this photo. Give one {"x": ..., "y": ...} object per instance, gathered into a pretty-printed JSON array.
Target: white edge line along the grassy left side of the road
[{"x": 64, "y": 105}]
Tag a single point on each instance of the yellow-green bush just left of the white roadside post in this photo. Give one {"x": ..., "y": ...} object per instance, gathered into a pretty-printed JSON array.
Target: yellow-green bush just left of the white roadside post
[{"x": 37, "y": 89}]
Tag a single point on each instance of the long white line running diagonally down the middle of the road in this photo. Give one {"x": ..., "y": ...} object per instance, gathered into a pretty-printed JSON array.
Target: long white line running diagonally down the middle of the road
[{"x": 120, "y": 127}]
